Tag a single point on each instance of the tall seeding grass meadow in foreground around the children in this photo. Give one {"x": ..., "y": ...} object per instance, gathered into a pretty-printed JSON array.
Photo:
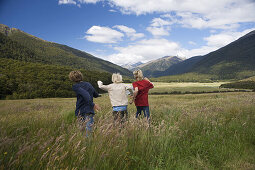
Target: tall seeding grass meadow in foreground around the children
[{"x": 202, "y": 131}]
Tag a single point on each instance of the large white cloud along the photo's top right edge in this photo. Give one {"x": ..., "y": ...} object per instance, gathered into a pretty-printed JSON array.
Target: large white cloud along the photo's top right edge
[{"x": 222, "y": 14}]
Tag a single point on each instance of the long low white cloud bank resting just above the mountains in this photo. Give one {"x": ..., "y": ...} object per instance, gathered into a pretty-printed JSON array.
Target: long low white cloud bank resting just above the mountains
[{"x": 151, "y": 49}]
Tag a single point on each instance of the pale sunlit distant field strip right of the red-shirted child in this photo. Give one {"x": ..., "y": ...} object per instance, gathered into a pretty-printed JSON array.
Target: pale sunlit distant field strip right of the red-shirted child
[{"x": 187, "y": 87}]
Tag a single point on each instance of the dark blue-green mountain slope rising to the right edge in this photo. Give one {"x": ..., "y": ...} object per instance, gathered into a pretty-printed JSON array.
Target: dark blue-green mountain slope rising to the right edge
[{"x": 233, "y": 61}]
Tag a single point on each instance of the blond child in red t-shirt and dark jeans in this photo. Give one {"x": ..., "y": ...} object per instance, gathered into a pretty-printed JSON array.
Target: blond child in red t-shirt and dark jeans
[{"x": 141, "y": 87}]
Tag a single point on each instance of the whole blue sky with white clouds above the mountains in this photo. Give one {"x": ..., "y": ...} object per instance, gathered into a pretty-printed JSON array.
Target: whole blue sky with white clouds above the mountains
[{"x": 129, "y": 31}]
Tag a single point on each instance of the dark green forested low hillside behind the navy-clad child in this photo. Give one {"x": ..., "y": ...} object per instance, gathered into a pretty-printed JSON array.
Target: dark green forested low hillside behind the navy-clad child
[{"x": 20, "y": 80}]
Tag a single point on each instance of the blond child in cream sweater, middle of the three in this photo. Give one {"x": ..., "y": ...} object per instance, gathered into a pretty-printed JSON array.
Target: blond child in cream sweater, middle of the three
[{"x": 118, "y": 96}]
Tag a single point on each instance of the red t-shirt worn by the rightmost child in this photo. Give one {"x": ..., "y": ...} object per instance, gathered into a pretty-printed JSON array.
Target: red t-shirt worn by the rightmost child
[{"x": 143, "y": 88}]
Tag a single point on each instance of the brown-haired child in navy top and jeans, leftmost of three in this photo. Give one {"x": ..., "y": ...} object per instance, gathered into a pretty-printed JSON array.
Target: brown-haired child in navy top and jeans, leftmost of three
[{"x": 84, "y": 104}]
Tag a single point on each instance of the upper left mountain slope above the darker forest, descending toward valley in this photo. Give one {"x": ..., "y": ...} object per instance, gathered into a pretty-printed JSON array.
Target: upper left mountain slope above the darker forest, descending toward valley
[{"x": 52, "y": 53}]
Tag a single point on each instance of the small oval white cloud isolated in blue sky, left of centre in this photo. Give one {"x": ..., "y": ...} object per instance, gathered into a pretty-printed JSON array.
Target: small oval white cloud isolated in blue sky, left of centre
[{"x": 103, "y": 35}]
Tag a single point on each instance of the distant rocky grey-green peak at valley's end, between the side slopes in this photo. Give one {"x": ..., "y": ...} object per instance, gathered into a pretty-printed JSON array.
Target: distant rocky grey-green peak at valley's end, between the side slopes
[{"x": 151, "y": 68}]
